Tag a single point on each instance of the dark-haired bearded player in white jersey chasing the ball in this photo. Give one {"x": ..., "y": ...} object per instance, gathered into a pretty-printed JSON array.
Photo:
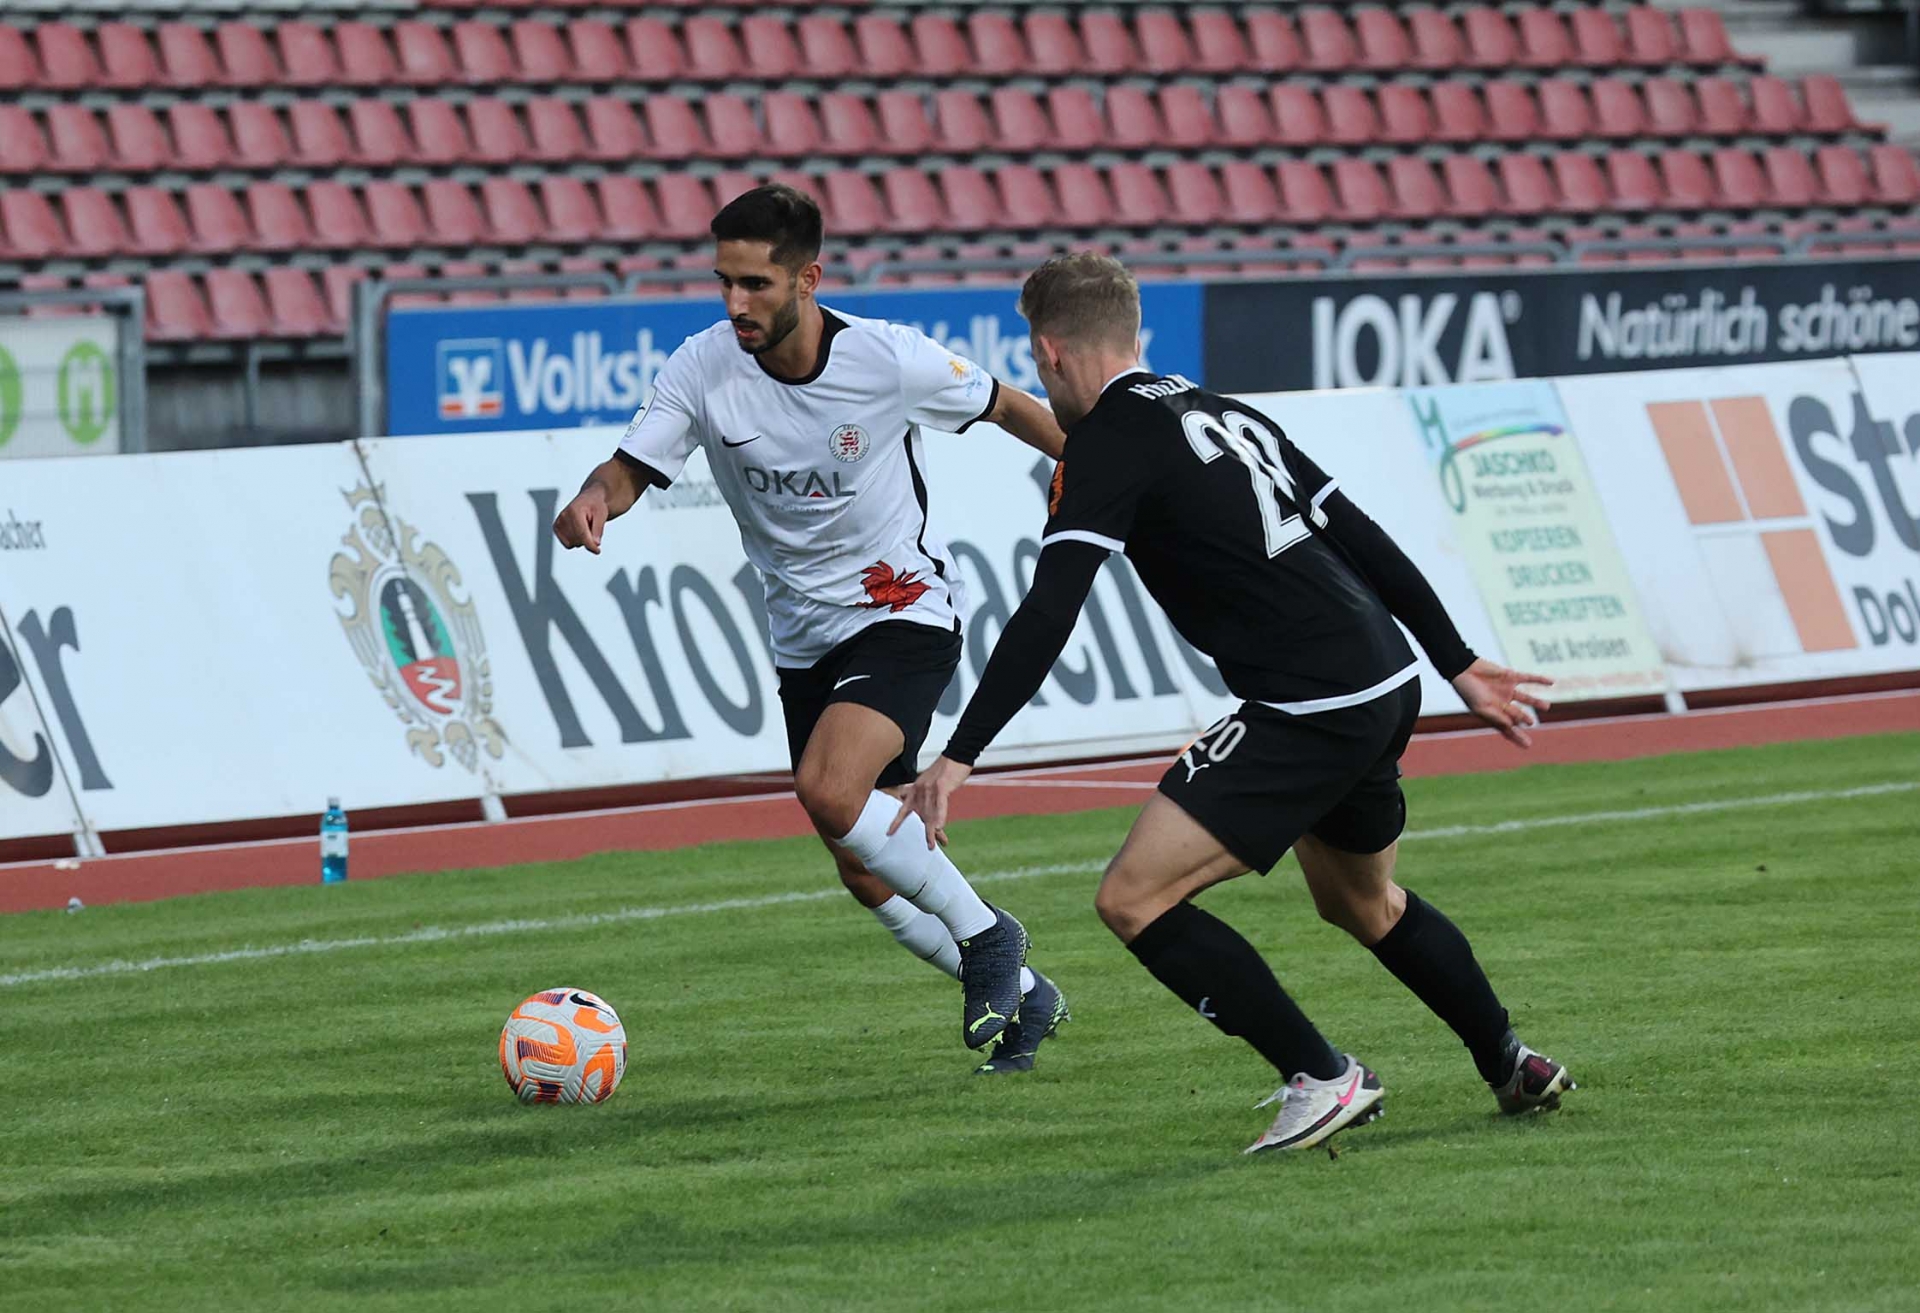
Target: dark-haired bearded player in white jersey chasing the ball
[{"x": 811, "y": 425}]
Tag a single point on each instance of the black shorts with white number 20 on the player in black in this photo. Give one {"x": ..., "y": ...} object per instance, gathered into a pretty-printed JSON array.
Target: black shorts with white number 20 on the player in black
[{"x": 1262, "y": 778}]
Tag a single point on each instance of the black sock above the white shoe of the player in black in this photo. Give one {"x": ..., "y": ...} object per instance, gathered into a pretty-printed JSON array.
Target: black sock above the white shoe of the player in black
[{"x": 1218, "y": 974}]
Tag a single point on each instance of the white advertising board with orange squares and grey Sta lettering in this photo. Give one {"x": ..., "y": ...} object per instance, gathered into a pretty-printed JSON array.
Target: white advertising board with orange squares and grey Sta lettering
[{"x": 1765, "y": 513}]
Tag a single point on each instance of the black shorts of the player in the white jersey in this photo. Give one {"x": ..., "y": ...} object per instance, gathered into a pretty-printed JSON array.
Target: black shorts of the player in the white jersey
[{"x": 896, "y": 667}]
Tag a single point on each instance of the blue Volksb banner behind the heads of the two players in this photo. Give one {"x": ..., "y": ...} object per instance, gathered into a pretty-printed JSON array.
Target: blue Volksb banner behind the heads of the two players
[{"x": 560, "y": 366}]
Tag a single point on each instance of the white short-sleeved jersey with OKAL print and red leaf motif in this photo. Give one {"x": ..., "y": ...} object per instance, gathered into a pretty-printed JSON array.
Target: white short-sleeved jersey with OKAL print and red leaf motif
[{"x": 825, "y": 473}]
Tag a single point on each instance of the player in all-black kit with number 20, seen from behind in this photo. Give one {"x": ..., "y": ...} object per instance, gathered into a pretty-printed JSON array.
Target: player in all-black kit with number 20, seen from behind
[{"x": 1264, "y": 565}]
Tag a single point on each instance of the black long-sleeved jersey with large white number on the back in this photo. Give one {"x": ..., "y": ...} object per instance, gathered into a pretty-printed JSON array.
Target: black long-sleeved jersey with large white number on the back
[{"x": 1249, "y": 548}]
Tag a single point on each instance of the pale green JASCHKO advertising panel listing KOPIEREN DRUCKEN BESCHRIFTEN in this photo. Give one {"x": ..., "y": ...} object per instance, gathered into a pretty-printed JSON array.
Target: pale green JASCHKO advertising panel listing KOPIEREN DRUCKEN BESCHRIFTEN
[{"x": 1535, "y": 537}]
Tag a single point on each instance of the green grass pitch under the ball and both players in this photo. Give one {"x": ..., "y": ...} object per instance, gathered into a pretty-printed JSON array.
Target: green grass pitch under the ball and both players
[{"x": 798, "y": 1128}]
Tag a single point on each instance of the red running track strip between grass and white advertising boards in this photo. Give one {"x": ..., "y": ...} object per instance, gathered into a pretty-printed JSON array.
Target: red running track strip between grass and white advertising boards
[{"x": 143, "y": 876}]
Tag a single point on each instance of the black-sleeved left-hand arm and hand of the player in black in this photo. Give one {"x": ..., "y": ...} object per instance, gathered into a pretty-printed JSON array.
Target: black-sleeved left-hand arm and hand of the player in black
[{"x": 1030, "y": 646}]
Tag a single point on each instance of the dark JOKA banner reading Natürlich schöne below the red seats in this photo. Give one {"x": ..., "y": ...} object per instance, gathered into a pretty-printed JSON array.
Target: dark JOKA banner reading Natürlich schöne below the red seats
[{"x": 1499, "y": 325}]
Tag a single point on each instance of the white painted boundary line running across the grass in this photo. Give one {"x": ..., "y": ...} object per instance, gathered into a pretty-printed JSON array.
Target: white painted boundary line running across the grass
[{"x": 485, "y": 930}]
